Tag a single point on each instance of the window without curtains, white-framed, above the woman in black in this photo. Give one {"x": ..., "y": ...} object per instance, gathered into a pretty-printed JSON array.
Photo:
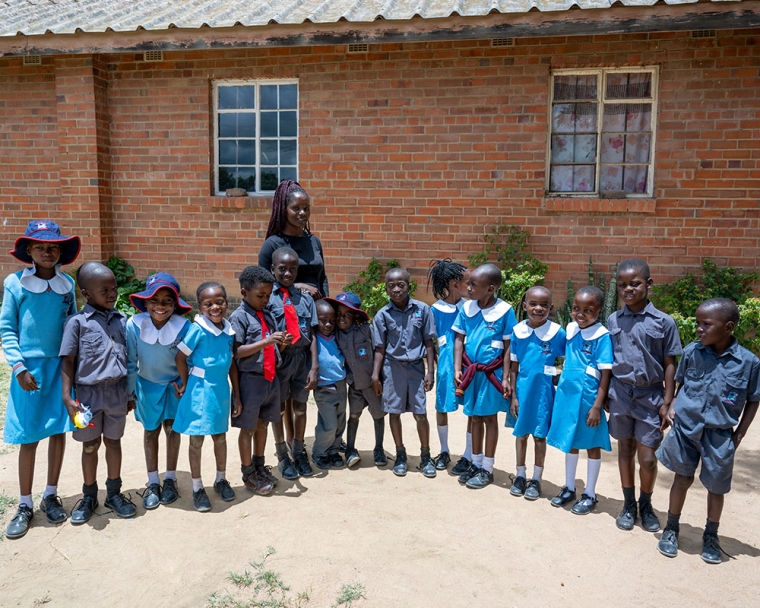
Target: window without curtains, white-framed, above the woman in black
[{"x": 256, "y": 134}]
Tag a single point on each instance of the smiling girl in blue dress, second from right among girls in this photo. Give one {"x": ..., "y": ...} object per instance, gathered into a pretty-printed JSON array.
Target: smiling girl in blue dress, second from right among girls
[{"x": 536, "y": 344}]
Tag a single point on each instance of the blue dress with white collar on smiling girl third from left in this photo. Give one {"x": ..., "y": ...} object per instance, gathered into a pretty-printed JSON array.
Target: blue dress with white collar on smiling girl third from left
[{"x": 151, "y": 367}]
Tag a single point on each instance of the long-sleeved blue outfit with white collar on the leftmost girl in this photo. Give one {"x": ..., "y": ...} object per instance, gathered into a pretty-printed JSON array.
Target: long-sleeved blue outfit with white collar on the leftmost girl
[{"x": 31, "y": 325}]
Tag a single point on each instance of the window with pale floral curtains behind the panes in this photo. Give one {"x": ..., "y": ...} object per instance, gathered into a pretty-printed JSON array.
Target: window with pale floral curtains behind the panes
[{"x": 602, "y": 132}]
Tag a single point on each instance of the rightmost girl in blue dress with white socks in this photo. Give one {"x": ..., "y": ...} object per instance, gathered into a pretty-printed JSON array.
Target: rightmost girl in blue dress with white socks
[{"x": 578, "y": 422}]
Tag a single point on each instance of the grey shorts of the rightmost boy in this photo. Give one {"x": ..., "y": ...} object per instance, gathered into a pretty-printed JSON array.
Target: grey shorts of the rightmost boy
[{"x": 681, "y": 454}]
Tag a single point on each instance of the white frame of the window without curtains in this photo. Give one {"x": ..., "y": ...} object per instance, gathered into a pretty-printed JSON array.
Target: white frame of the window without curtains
[{"x": 257, "y": 110}]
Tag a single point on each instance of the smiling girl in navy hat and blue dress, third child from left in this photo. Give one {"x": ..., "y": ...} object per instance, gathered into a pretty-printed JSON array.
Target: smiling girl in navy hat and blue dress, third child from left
[{"x": 152, "y": 377}]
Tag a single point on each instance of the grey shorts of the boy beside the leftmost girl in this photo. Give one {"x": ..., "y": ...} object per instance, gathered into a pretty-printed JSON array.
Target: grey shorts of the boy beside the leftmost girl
[{"x": 108, "y": 403}]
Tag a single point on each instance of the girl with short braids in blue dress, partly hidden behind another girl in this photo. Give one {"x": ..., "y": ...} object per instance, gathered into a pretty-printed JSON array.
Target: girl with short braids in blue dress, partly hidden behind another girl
[{"x": 448, "y": 286}]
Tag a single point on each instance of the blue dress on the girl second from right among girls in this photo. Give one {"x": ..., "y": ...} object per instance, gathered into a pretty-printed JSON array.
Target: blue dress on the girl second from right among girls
[{"x": 535, "y": 350}]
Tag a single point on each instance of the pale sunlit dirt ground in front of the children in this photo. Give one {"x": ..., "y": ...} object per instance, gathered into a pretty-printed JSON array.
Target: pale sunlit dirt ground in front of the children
[{"x": 410, "y": 541}]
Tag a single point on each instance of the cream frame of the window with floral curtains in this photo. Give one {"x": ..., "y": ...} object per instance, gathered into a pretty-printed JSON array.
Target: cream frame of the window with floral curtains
[{"x": 601, "y": 100}]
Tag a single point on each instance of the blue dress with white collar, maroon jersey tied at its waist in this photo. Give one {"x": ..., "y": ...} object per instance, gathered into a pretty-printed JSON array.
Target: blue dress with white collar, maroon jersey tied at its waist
[{"x": 485, "y": 332}]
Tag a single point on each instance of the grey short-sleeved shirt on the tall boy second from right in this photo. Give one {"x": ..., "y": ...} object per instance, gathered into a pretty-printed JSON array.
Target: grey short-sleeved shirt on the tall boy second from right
[{"x": 641, "y": 341}]
